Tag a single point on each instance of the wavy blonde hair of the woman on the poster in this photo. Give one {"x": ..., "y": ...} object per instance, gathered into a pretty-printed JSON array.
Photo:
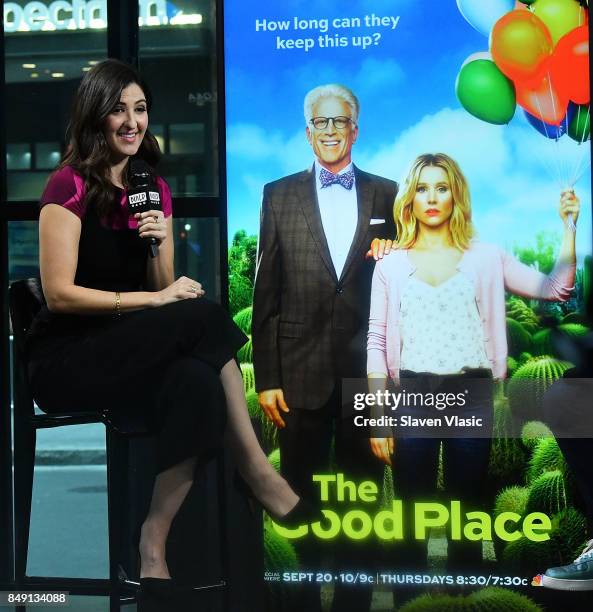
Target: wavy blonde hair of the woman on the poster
[{"x": 460, "y": 224}]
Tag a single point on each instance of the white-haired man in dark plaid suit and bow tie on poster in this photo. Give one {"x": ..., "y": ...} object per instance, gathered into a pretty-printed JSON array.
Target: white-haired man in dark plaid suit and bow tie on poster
[{"x": 310, "y": 314}]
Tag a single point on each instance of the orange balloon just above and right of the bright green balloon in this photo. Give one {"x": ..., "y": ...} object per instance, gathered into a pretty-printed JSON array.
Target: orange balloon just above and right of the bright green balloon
[{"x": 520, "y": 45}]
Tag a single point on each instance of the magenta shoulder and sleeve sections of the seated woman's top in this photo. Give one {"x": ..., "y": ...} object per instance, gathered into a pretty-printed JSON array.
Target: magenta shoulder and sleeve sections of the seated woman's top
[{"x": 66, "y": 187}]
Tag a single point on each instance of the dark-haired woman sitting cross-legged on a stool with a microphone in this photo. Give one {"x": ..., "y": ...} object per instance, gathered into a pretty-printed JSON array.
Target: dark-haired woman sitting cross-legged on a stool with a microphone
[{"x": 119, "y": 331}]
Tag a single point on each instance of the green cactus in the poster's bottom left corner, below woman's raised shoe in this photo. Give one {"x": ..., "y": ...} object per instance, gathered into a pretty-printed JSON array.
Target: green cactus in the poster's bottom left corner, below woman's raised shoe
[{"x": 279, "y": 556}]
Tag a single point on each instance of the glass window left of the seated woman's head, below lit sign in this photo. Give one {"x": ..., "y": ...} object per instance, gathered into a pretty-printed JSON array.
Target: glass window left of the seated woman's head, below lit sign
[{"x": 49, "y": 46}]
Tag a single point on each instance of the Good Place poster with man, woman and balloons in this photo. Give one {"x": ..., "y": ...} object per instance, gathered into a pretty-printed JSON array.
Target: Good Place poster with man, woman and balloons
[{"x": 475, "y": 107}]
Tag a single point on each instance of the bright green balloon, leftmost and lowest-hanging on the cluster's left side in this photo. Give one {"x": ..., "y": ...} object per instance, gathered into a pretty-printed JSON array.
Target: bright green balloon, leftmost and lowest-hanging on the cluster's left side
[{"x": 485, "y": 92}]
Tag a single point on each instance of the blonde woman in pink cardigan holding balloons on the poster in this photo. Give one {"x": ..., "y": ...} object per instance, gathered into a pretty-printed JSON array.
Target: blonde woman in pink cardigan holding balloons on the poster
[{"x": 437, "y": 325}]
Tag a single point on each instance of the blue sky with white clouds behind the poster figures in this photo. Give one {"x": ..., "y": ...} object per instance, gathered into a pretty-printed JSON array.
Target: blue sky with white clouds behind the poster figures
[{"x": 406, "y": 87}]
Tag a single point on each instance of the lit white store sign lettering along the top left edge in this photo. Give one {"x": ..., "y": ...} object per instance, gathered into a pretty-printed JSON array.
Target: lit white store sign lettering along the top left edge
[{"x": 75, "y": 15}]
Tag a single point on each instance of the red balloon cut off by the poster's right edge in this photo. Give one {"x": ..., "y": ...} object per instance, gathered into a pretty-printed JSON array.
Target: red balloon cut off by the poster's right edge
[{"x": 569, "y": 65}]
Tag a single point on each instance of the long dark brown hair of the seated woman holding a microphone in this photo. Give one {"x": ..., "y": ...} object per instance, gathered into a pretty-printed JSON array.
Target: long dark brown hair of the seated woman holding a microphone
[{"x": 88, "y": 152}]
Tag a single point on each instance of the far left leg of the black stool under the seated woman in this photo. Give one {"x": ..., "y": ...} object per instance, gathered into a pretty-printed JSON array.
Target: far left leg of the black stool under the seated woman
[{"x": 24, "y": 464}]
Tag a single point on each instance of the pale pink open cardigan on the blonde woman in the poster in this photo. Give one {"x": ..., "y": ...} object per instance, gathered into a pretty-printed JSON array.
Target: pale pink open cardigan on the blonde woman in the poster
[{"x": 491, "y": 271}]
